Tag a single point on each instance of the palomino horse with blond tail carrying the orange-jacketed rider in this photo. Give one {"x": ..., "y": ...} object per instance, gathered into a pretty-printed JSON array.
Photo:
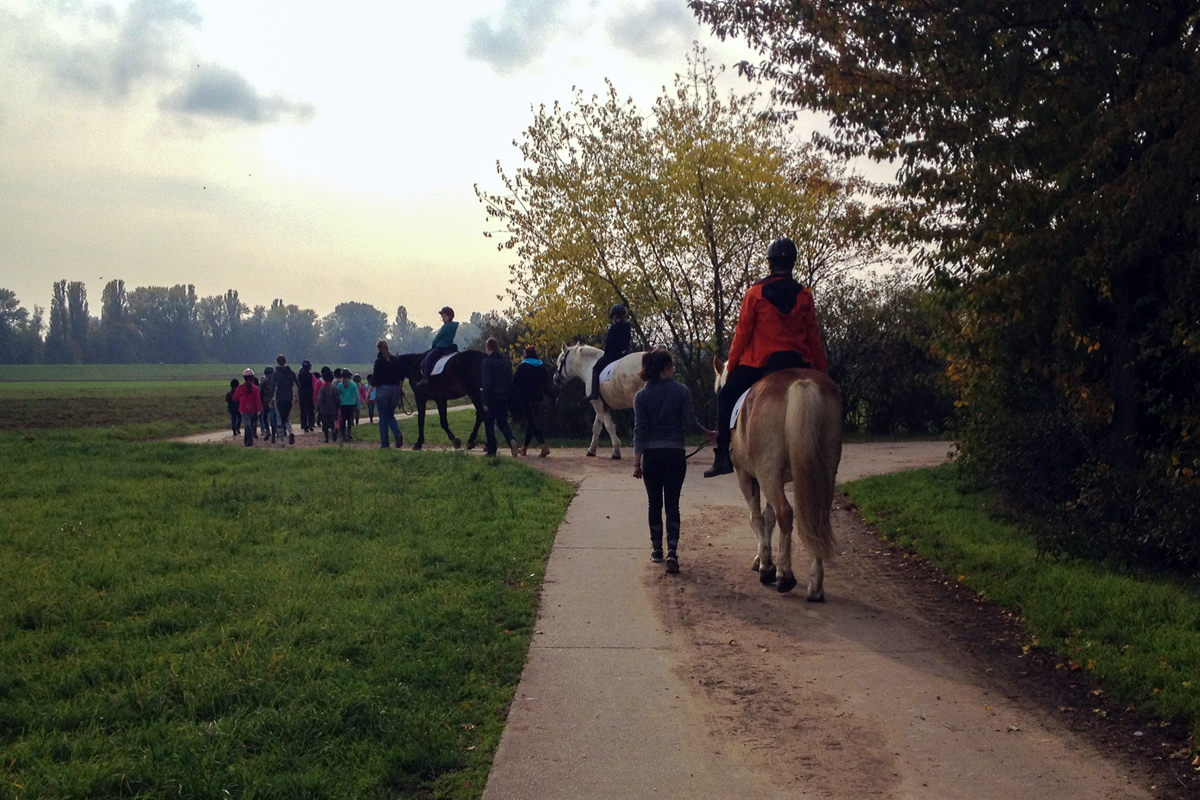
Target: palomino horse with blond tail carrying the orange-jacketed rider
[{"x": 789, "y": 431}]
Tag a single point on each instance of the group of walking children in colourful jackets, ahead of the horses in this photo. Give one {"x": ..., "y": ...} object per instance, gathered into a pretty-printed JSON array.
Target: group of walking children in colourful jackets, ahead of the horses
[{"x": 334, "y": 399}]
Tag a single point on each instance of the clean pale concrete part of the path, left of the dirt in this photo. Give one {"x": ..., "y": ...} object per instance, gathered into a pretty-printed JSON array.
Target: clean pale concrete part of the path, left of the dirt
[{"x": 601, "y": 712}]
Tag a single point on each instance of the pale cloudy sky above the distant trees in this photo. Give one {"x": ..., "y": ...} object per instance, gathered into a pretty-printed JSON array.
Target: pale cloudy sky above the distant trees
[{"x": 316, "y": 153}]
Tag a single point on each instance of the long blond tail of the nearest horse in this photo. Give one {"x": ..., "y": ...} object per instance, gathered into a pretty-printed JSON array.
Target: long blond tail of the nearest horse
[{"x": 814, "y": 452}]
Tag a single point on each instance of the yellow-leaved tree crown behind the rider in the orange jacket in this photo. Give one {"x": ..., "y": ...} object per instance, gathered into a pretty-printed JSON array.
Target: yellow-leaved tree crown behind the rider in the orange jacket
[{"x": 669, "y": 214}]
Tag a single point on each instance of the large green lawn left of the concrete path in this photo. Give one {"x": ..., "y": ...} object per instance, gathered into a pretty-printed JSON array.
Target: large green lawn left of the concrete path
[{"x": 215, "y": 622}]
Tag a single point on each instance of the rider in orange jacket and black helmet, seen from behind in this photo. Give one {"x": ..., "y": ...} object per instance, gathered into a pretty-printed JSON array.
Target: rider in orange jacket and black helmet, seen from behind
[{"x": 777, "y": 330}]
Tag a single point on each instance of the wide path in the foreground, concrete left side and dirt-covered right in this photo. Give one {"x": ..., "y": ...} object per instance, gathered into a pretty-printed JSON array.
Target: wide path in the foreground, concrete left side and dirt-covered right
[{"x": 614, "y": 705}]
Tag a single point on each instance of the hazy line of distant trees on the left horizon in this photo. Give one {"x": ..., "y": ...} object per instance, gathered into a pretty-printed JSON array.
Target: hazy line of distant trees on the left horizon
[{"x": 175, "y": 326}]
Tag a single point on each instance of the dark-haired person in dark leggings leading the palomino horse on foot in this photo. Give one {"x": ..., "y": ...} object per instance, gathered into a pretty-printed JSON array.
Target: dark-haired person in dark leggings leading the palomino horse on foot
[{"x": 663, "y": 413}]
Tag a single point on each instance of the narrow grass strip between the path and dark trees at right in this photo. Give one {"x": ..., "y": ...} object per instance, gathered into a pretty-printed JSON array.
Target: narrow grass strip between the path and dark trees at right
[{"x": 1138, "y": 636}]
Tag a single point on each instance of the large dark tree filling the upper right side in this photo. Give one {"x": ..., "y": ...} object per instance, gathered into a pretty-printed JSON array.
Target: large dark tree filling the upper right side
[{"x": 1048, "y": 173}]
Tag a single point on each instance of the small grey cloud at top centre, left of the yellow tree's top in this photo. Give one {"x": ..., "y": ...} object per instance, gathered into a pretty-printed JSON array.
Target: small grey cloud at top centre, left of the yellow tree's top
[{"x": 526, "y": 29}]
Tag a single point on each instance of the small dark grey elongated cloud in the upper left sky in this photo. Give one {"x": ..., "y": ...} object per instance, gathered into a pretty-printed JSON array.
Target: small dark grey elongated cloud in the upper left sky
[{"x": 220, "y": 93}]
